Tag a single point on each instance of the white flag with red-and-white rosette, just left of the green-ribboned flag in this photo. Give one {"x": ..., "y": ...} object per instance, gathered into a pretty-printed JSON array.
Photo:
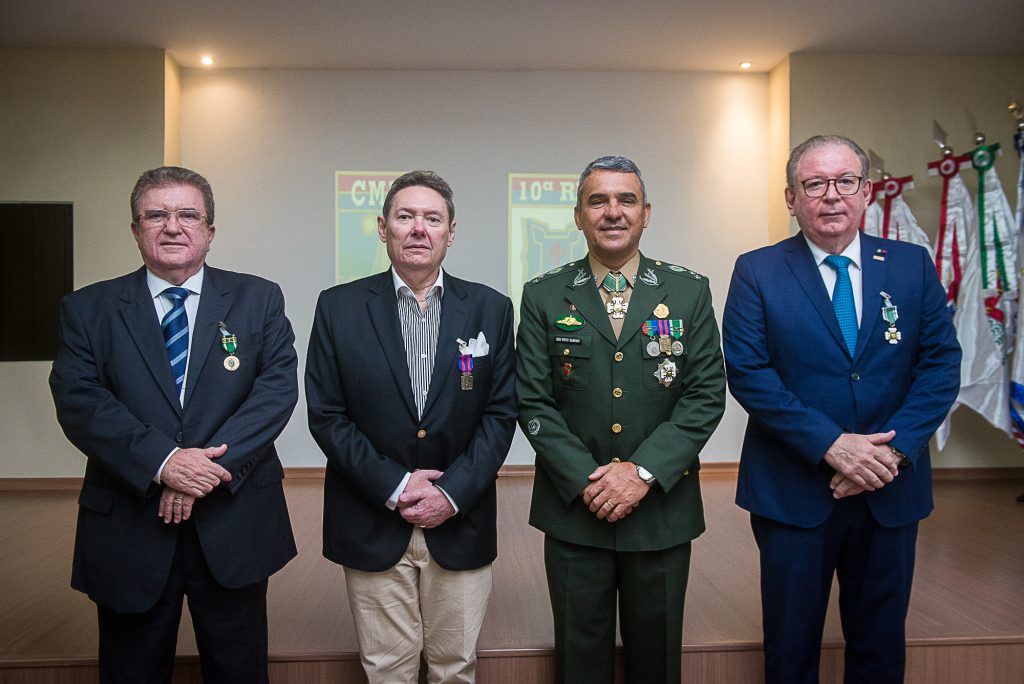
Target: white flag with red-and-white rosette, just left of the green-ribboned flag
[{"x": 984, "y": 373}]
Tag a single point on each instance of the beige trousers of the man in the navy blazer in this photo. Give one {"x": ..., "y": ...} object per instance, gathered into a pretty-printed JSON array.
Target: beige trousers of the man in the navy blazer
[{"x": 418, "y": 607}]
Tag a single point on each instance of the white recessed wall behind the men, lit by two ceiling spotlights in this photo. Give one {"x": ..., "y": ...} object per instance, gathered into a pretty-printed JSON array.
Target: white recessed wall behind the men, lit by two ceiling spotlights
[{"x": 270, "y": 142}]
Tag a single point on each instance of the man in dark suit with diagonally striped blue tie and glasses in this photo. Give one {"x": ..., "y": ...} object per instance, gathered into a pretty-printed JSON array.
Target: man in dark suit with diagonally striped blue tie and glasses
[{"x": 183, "y": 492}]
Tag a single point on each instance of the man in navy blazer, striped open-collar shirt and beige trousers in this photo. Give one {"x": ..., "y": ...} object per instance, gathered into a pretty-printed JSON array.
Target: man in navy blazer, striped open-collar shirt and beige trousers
[{"x": 410, "y": 388}]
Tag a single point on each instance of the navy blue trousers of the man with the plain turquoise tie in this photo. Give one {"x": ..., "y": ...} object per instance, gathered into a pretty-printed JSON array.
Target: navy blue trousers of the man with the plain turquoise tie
[{"x": 875, "y": 568}]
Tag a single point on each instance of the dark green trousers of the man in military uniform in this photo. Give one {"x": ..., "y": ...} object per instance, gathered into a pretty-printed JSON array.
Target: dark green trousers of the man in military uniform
[{"x": 584, "y": 582}]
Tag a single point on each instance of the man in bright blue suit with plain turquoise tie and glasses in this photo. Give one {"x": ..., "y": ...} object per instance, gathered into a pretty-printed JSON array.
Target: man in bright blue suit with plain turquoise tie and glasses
[{"x": 840, "y": 348}]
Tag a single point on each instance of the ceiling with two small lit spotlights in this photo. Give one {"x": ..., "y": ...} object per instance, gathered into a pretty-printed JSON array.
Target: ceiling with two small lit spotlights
[{"x": 646, "y": 35}]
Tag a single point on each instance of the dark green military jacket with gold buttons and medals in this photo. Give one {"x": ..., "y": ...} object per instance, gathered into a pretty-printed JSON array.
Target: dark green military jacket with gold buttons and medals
[{"x": 586, "y": 398}]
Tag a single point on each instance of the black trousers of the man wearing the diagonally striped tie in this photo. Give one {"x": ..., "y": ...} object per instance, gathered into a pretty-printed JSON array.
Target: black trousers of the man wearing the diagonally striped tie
[{"x": 231, "y": 627}]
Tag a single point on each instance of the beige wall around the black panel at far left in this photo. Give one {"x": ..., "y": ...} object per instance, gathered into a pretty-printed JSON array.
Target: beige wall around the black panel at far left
[{"x": 76, "y": 126}]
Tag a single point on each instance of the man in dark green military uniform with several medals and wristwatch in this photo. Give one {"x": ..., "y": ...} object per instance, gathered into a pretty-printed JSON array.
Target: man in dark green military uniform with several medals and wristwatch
[{"x": 621, "y": 383}]
